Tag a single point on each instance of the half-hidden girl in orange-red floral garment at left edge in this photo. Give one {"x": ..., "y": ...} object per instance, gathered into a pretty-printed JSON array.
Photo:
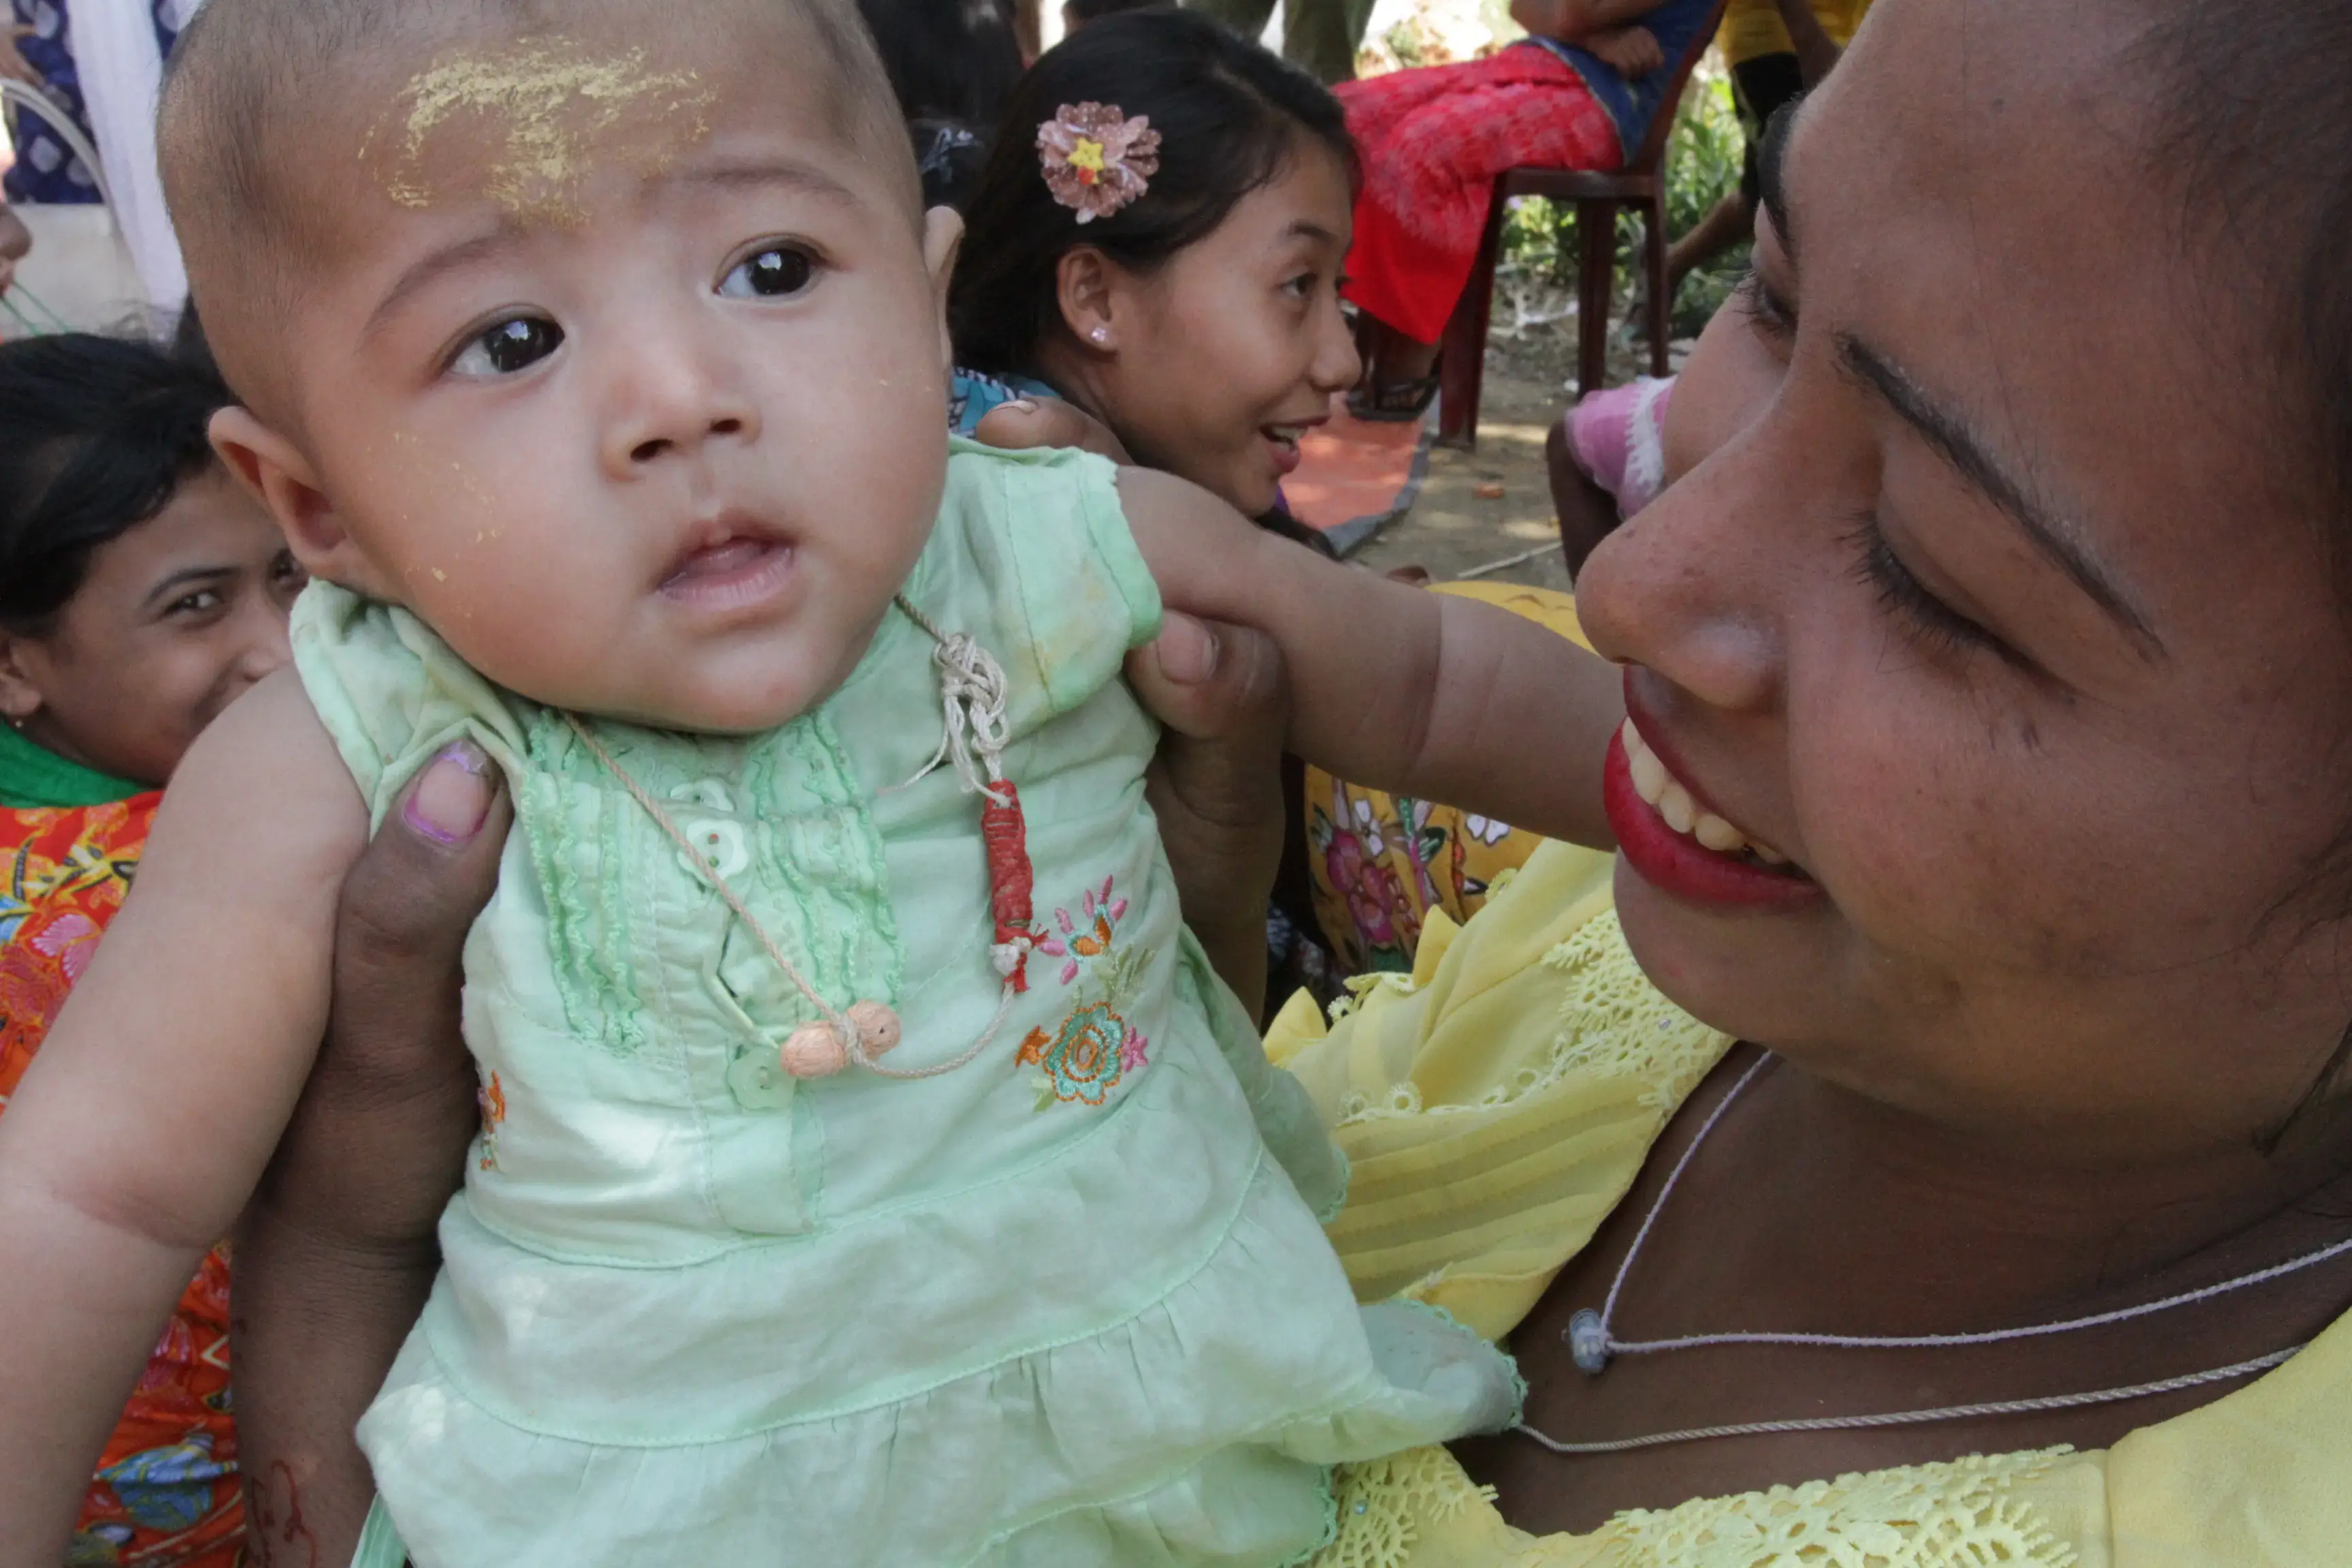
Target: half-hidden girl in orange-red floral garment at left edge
[{"x": 140, "y": 594}]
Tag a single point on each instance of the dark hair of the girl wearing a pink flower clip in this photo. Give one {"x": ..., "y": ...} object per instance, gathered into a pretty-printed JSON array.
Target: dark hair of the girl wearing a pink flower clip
[{"x": 1229, "y": 116}]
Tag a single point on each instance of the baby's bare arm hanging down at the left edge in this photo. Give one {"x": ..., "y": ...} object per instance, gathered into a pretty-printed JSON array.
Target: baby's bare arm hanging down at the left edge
[{"x": 161, "y": 1092}]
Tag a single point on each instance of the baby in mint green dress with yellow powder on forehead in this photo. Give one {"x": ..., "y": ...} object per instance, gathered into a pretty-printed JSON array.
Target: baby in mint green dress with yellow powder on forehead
[{"x": 874, "y": 1172}]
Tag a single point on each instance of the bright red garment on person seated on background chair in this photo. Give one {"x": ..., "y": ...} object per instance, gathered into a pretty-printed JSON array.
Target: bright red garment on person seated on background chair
[{"x": 1434, "y": 140}]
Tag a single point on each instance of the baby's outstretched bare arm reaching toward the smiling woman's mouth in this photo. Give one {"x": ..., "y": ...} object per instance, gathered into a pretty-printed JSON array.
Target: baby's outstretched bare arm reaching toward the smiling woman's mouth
[{"x": 1396, "y": 688}]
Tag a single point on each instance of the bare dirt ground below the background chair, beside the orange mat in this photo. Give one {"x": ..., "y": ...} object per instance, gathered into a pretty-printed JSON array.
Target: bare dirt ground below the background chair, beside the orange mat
[{"x": 1452, "y": 530}]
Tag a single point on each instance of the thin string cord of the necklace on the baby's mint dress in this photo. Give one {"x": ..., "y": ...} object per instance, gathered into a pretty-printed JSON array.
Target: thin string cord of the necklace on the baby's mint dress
[{"x": 973, "y": 695}]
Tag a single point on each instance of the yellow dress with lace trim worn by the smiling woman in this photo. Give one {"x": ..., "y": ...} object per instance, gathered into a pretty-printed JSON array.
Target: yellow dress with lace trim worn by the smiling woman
[{"x": 1499, "y": 1101}]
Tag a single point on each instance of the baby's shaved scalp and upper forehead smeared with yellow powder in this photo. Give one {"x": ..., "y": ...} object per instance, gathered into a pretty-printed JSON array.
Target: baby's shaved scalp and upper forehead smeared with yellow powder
[{"x": 283, "y": 116}]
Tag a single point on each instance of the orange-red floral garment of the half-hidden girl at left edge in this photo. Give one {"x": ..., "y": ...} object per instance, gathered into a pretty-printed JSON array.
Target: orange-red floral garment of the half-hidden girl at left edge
[{"x": 166, "y": 1494}]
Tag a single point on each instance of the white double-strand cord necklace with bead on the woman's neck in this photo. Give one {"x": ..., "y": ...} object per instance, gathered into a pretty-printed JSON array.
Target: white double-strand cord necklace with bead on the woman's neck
[{"x": 1593, "y": 1346}]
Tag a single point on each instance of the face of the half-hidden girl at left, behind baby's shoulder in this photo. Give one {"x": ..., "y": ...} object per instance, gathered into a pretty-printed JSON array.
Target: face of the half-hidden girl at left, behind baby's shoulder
[{"x": 173, "y": 624}]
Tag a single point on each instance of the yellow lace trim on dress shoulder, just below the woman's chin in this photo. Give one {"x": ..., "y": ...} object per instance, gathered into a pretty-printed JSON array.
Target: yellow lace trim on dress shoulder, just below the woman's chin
[{"x": 1612, "y": 1024}]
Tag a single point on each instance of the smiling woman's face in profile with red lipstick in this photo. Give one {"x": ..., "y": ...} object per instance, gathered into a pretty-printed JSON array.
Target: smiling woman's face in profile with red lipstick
[{"x": 1996, "y": 598}]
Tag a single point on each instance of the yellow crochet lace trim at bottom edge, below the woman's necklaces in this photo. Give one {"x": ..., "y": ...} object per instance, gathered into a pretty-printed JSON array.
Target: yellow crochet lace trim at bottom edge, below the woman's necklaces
[{"x": 1960, "y": 1515}]
